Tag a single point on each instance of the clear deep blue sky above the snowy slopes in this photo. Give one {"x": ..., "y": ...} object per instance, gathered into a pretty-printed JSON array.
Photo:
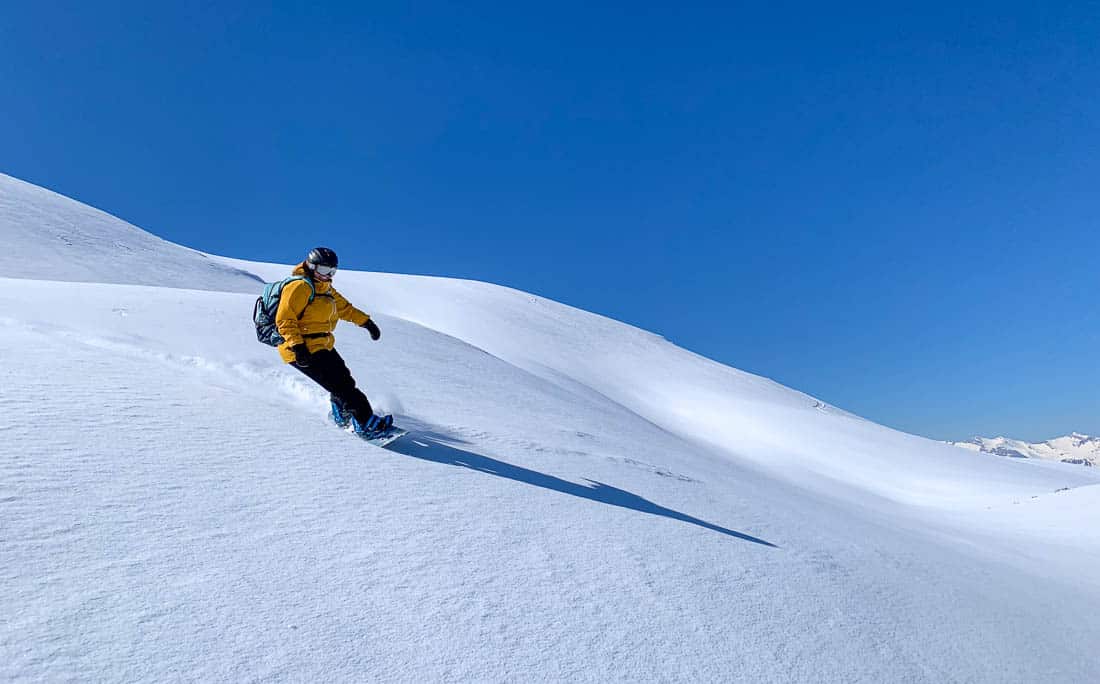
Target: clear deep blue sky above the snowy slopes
[{"x": 894, "y": 208}]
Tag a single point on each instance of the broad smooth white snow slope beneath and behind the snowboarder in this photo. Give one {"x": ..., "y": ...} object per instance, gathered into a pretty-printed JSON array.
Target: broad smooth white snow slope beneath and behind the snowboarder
[{"x": 579, "y": 501}]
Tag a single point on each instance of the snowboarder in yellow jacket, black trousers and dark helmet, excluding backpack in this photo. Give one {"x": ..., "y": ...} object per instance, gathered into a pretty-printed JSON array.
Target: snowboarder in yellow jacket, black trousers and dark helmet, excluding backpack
[{"x": 307, "y": 314}]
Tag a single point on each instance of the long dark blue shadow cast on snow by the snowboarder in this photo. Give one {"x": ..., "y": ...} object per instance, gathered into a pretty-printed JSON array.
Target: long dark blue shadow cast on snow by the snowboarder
[{"x": 428, "y": 446}]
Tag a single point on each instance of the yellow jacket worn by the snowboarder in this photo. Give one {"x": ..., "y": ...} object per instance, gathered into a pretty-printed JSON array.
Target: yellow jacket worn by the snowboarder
[{"x": 300, "y": 321}]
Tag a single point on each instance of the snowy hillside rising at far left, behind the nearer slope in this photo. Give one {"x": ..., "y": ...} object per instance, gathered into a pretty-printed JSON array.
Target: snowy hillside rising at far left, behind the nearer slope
[{"x": 61, "y": 239}]
